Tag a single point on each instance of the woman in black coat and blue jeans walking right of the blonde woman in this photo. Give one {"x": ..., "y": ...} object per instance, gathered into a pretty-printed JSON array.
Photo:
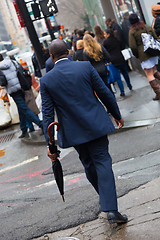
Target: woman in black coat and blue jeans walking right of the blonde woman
[{"x": 113, "y": 46}]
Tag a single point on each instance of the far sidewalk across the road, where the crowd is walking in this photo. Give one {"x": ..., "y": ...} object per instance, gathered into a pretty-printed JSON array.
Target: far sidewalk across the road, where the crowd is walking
[{"x": 137, "y": 107}]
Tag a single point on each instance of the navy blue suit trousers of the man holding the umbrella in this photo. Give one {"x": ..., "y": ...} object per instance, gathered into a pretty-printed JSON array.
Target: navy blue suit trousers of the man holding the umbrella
[{"x": 98, "y": 168}]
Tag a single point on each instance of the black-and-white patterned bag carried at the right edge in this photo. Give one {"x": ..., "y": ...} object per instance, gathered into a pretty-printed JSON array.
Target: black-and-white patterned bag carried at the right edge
[{"x": 151, "y": 45}]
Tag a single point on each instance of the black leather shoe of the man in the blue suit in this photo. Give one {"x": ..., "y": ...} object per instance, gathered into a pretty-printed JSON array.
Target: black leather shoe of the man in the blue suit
[{"x": 116, "y": 217}]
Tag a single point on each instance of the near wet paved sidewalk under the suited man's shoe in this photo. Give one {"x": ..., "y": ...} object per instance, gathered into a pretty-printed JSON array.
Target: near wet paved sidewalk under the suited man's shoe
[{"x": 142, "y": 208}]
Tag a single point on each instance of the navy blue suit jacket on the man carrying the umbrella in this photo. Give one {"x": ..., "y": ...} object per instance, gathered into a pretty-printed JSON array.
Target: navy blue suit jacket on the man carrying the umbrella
[{"x": 69, "y": 89}]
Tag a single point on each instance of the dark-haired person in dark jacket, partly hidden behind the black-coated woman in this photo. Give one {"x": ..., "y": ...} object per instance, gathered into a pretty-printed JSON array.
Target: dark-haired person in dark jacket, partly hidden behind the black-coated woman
[{"x": 118, "y": 33}]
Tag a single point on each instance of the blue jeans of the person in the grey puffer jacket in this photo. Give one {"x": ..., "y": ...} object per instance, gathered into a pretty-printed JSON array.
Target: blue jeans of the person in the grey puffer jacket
[{"x": 25, "y": 114}]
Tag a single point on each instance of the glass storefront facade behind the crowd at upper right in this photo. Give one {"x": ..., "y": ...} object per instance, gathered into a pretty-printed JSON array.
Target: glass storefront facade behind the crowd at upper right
[{"x": 99, "y": 10}]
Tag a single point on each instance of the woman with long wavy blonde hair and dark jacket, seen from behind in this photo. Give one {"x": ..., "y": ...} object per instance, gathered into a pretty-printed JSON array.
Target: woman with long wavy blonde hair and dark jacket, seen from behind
[{"x": 97, "y": 55}]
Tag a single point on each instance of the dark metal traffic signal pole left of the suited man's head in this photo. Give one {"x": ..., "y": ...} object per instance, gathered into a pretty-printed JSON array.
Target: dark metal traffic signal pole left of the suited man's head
[{"x": 31, "y": 31}]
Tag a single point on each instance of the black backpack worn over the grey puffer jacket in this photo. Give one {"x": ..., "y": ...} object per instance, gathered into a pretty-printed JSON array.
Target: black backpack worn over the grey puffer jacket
[{"x": 24, "y": 77}]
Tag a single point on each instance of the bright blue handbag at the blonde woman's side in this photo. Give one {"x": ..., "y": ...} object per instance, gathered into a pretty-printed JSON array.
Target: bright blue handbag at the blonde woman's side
[{"x": 113, "y": 73}]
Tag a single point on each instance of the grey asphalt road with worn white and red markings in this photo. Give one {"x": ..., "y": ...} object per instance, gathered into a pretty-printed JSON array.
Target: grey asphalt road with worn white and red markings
[{"x": 30, "y": 204}]
